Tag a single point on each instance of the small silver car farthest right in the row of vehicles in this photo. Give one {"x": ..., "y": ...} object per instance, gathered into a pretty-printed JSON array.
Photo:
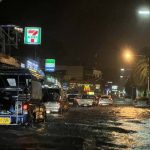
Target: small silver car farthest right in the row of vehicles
[{"x": 105, "y": 100}]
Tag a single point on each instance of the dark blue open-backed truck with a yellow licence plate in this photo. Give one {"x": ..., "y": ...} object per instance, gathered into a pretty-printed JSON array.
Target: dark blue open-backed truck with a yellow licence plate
[{"x": 20, "y": 97}]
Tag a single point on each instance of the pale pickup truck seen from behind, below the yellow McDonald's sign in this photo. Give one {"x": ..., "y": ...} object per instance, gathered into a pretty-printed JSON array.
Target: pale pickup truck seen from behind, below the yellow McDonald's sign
[{"x": 84, "y": 100}]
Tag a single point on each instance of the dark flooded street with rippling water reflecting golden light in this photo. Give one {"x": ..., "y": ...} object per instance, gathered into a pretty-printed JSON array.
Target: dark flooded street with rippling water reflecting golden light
[{"x": 85, "y": 128}]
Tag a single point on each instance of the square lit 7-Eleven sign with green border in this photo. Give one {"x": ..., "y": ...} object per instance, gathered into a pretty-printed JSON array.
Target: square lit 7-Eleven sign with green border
[{"x": 32, "y": 35}]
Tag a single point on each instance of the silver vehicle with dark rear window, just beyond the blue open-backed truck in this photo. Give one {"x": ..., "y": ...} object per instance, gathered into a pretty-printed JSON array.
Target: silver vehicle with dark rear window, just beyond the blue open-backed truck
[{"x": 53, "y": 101}]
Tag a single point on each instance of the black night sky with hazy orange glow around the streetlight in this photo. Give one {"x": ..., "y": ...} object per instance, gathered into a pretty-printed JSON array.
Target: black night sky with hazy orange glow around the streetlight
[{"x": 81, "y": 32}]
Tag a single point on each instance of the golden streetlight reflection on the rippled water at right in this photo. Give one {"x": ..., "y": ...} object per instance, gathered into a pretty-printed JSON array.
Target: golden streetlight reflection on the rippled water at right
[{"x": 134, "y": 119}]
